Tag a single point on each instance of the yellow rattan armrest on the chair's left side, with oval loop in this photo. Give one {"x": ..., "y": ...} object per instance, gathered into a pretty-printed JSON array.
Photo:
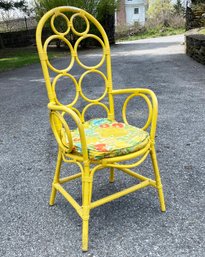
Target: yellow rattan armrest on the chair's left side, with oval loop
[{"x": 59, "y": 111}]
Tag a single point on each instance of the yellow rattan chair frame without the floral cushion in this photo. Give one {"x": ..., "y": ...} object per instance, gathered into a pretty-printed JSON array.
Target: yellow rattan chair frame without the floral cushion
[{"x": 58, "y": 110}]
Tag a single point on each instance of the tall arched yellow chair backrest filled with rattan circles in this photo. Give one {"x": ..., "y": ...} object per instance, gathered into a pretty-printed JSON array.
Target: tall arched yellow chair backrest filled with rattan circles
[{"x": 69, "y": 14}]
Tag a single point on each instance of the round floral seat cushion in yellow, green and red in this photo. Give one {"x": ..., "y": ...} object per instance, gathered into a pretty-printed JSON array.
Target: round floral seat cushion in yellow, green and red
[{"x": 106, "y": 139}]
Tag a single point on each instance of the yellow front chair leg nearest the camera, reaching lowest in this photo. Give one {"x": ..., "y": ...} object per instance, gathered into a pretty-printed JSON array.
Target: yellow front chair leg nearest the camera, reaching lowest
[{"x": 87, "y": 188}]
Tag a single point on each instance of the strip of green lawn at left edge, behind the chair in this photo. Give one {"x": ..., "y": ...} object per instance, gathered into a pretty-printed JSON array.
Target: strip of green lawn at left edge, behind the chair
[{"x": 12, "y": 58}]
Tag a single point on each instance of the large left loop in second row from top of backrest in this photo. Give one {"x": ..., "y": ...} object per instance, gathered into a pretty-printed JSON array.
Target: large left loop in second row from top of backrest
[{"x": 71, "y": 51}]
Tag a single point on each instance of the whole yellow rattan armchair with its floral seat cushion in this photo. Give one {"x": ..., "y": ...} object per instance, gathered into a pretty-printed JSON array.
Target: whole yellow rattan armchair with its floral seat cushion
[{"x": 98, "y": 143}]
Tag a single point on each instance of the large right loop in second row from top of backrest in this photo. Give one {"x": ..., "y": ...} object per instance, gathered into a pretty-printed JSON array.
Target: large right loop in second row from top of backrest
[{"x": 76, "y": 51}]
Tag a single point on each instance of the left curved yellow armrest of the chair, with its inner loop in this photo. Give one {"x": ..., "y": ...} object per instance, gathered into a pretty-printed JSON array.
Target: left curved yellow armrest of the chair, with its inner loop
[{"x": 60, "y": 108}]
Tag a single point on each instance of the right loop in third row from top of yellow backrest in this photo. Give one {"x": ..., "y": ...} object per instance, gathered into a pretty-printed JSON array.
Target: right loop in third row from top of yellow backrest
[{"x": 80, "y": 85}]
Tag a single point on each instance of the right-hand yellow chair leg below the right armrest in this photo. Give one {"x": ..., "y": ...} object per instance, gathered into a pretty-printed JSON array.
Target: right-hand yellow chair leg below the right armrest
[{"x": 158, "y": 179}]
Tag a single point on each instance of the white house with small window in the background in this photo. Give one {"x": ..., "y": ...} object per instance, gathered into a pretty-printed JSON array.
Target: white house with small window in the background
[{"x": 131, "y": 11}]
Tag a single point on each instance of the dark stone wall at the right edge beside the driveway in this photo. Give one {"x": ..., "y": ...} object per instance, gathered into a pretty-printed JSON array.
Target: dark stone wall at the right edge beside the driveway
[{"x": 195, "y": 45}]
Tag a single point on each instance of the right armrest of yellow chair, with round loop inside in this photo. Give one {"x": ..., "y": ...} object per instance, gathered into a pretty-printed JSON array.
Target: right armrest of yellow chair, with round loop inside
[{"x": 152, "y": 103}]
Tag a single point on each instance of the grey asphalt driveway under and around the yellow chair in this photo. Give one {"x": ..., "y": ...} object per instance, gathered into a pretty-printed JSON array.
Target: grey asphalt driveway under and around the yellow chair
[{"x": 133, "y": 225}]
